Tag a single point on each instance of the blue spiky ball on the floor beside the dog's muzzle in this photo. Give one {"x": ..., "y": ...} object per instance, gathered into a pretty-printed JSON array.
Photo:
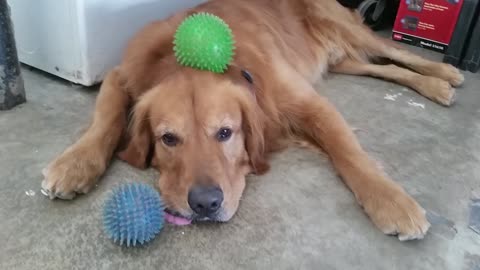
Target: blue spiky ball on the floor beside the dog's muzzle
[{"x": 133, "y": 214}]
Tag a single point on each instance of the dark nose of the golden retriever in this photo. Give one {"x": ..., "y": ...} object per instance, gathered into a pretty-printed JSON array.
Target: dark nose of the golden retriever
[{"x": 205, "y": 200}]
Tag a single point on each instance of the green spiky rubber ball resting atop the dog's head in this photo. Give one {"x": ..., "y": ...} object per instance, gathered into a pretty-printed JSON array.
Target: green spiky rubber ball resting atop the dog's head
[{"x": 204, "y": 41}]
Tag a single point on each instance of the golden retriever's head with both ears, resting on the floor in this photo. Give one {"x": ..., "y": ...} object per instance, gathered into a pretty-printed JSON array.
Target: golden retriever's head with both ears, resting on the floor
[{"x": 207, "y": 134}]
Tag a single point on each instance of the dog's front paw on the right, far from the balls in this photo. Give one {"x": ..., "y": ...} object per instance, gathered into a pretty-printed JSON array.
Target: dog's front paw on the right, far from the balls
[{"x": 394, "y": 212}]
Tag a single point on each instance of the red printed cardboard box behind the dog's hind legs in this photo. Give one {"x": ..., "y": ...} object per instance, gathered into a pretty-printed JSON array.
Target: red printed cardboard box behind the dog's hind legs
[{"x": 426, "y": 23}]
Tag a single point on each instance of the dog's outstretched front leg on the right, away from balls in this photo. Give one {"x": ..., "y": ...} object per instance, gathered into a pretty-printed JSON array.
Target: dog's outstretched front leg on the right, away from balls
[{"x": 391, "y": 209}]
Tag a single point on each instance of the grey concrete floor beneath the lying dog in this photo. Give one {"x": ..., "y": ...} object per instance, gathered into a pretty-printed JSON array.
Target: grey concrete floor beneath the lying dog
[{"x": 432, "y": 151}]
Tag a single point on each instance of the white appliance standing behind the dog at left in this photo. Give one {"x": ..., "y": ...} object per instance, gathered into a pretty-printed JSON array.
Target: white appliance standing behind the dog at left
[{"x": 80, "y": 40}]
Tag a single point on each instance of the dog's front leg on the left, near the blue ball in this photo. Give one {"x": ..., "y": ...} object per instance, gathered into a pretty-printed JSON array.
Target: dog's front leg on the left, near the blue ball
[{"x": 80, "y": 165}]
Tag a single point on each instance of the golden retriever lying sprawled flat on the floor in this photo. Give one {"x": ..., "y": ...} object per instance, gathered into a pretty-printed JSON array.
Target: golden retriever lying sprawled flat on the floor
[{"x": 206, "y": 132}]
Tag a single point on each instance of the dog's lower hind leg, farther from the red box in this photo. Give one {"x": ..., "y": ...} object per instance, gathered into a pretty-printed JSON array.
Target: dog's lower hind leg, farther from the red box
[{"x": 433, "y": 88}]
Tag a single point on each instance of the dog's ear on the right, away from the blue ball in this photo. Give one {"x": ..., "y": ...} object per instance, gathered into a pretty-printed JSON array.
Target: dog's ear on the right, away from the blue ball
[{"x": 253, "y": 125}]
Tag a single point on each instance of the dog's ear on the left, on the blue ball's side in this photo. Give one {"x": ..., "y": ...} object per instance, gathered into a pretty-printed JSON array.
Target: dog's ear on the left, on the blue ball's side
[{"x": 140, "y": 136}]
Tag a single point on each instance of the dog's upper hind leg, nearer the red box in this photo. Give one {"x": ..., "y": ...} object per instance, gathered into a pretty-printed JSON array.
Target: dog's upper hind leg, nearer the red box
[{"x": 360, "y": 40}]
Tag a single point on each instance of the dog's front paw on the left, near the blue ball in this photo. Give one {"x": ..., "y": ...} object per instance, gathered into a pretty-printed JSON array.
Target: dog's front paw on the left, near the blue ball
[{"x": 75, "y": 171}]
